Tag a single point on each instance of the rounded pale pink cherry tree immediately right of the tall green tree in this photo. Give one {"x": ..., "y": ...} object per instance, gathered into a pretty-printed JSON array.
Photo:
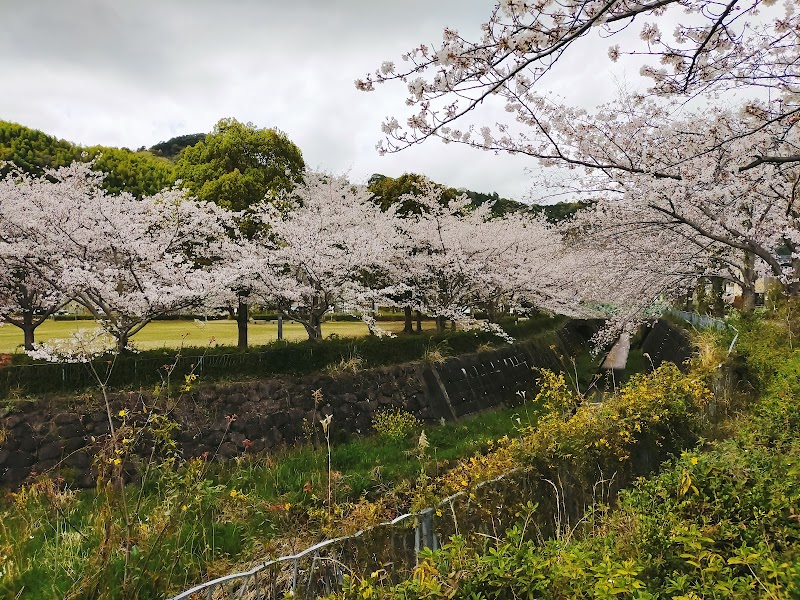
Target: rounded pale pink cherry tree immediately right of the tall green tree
[{"x": 323, "y": 245}]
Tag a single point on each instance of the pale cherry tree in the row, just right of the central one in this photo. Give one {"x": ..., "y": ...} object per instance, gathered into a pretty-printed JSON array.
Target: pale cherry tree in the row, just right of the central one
[{"x": 459, "y": 258}]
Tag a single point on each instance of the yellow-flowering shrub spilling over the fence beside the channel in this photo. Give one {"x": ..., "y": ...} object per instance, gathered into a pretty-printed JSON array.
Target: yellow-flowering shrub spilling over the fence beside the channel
[{"x": 652, "y": 416}]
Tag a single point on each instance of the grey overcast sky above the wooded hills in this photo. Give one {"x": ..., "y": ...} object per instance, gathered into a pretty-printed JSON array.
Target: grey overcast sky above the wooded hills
[{"x": 133, "y": 73}]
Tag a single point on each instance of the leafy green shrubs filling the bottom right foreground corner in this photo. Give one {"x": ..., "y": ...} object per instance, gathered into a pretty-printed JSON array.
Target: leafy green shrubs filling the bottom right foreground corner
[{"x": 722, "y": 524}]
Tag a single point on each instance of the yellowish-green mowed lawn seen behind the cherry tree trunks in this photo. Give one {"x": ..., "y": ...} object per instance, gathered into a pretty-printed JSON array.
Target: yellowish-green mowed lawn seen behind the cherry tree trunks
[{"x": 174, "y": 334}]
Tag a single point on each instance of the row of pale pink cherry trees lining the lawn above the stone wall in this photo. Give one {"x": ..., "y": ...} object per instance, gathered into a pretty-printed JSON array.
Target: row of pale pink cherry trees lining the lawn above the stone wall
[{"x": 129, "y": 260}]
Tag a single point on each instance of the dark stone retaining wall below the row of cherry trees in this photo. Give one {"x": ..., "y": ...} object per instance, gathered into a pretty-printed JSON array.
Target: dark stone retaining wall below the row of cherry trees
[{"x": 225, "y": 420}]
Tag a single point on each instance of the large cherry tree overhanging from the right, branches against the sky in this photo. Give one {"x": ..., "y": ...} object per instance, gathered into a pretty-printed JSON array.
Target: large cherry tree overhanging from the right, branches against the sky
[{"x": 716, "y": 186}]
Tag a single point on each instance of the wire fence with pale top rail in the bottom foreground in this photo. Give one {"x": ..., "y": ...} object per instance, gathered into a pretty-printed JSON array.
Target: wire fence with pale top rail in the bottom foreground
[{"x": 391, "y": 548}]
